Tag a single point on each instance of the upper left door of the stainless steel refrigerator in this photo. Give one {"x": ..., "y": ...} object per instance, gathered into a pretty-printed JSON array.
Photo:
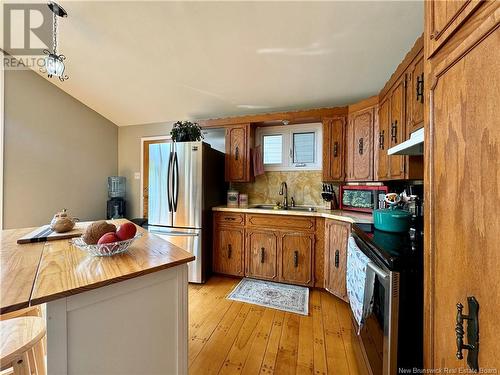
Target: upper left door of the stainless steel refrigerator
[{"x": 160, "y": 198}]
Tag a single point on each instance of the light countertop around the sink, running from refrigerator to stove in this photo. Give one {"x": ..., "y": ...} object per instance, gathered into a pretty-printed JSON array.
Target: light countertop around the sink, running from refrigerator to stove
[{"x": 342, "y": 215}]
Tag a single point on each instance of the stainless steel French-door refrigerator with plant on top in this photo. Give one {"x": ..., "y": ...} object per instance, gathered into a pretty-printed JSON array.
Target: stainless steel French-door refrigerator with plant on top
[{"x": 185, "y": 181}]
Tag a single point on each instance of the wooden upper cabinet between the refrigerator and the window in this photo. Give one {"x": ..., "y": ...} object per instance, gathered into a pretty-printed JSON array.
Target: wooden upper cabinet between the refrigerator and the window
[{"x": 238, "y": 143}]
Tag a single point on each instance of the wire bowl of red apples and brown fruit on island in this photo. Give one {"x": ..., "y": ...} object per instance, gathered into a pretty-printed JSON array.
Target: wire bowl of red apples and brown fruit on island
[{"x": 104, "y": 239}]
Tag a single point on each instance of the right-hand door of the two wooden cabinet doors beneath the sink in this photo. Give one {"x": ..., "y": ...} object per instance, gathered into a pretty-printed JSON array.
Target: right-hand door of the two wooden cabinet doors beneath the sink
[{"x": 296, "y": 258}]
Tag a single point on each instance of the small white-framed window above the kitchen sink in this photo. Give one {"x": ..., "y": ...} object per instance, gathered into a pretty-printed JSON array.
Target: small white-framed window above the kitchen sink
[{"x": 291, "y": 147}]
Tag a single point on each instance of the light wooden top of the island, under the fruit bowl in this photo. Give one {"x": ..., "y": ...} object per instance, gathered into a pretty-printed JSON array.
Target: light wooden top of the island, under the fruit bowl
[{"x": 36, "y": 273}]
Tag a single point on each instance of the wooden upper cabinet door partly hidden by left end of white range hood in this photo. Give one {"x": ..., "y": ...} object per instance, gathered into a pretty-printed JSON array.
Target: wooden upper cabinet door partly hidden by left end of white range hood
[{"x": 397, "y": 129}]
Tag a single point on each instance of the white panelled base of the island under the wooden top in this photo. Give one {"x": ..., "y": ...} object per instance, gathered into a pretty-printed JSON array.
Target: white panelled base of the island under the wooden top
[{"x": 137, "y": 326}]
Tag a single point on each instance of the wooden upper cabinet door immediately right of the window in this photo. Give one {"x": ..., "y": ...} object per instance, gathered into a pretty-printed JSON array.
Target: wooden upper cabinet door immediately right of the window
[{"x": 333, "y": 149}]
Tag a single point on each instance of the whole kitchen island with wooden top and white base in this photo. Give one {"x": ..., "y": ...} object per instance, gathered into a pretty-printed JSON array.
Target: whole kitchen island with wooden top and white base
[{"x": 127, "y": 314}]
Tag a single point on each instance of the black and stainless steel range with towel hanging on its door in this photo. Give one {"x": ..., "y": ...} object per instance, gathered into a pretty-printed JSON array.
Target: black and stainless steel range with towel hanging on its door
[{"x": 392, "y": 334}]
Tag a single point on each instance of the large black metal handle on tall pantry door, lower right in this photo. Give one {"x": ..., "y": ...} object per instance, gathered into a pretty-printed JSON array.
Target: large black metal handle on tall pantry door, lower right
[{"x": 472, "y": 333}]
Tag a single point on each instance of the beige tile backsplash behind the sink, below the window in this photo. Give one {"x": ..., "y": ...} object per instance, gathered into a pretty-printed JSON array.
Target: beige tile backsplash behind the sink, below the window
[{"x": 305, "y": 188}]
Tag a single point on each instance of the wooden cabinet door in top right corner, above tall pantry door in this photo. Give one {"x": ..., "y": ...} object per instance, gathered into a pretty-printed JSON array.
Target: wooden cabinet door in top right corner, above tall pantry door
[{"x": 443, "y": 18}]
